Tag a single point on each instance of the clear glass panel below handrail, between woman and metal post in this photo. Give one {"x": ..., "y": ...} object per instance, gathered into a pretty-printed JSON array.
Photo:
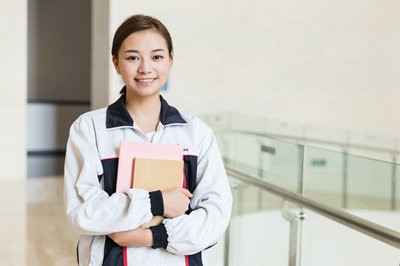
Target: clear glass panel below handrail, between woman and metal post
[{"x": 258, "y": 234}]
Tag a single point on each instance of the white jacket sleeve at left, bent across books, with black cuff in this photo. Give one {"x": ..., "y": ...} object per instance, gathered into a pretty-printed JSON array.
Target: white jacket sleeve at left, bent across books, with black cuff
[{"x": 89, "y": 209}]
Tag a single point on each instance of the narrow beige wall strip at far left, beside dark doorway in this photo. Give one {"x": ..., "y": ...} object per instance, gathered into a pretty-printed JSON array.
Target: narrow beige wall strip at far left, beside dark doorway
[{"x": 13, "y": 79}]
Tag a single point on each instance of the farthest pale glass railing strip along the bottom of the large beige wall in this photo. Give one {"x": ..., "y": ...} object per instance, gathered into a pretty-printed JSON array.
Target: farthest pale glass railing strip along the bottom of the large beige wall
[{"x": 379, "y": 147}]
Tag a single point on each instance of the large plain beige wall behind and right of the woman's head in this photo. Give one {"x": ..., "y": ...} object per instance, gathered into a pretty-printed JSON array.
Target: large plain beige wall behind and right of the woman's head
[{"x": 315, "y": 62}]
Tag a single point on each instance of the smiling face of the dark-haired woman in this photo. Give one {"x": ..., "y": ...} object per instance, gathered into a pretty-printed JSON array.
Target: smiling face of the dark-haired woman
[{"x": 144, "y": 63}]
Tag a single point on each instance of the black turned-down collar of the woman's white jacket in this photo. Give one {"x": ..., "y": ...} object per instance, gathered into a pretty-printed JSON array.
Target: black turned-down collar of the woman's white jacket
[{"x": 118, "y": 115}]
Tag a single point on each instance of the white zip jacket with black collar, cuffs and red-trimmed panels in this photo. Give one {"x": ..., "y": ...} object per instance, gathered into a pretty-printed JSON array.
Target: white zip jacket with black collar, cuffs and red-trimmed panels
[{"x": 93, "y": 209}]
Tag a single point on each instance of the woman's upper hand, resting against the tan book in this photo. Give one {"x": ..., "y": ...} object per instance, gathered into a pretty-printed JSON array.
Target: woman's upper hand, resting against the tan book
[{"x": 176, "y": 201}]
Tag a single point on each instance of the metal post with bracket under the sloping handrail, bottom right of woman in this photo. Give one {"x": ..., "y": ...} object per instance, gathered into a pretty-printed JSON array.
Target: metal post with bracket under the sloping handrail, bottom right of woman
[{"x": 295, "y": 235}]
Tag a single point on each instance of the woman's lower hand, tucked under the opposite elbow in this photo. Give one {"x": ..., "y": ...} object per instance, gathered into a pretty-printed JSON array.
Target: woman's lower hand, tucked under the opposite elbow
[{"x": 138, "y": 237}]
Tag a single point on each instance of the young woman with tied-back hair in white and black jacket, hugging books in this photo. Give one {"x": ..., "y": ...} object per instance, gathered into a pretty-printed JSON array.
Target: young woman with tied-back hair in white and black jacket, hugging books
[{"x": 196, "y": 216}]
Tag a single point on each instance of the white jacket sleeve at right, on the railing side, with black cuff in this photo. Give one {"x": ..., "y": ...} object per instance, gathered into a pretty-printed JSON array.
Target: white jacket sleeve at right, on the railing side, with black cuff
[{"x": 211, "y": 204}]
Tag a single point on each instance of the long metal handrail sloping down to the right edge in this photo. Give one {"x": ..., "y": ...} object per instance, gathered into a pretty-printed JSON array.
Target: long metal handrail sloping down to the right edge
[{"x": 364, "y": 226}]
